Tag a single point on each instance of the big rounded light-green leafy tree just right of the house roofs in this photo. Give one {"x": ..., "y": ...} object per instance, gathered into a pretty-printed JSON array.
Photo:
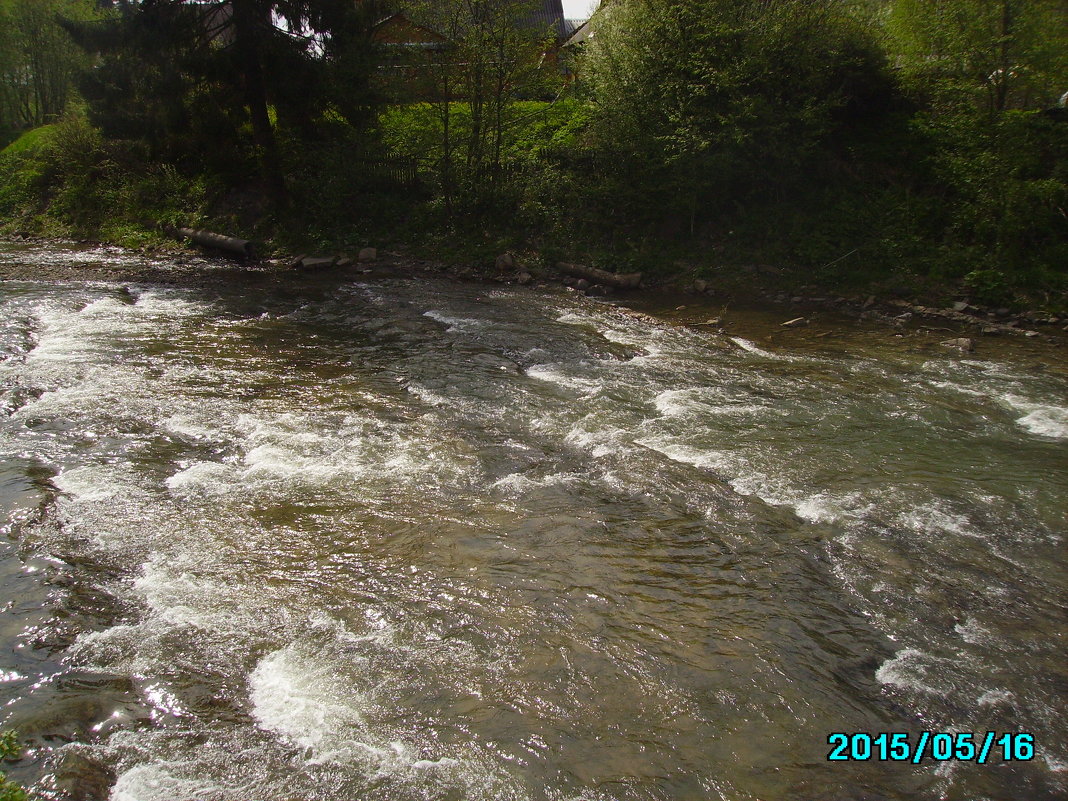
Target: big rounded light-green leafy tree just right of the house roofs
[{"x": 710, "y": 104}]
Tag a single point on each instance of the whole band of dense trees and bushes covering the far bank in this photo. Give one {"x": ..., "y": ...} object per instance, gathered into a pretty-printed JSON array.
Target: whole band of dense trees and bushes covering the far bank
[{"x": 913, "y": 144}]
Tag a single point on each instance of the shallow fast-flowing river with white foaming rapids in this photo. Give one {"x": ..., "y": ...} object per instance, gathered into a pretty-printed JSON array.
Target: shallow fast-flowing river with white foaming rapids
[{"x": 418, "y": 540}]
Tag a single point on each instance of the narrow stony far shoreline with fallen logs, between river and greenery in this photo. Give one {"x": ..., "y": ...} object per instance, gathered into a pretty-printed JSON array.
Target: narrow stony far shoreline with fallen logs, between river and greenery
[{"x": 678, "y": 300}]
